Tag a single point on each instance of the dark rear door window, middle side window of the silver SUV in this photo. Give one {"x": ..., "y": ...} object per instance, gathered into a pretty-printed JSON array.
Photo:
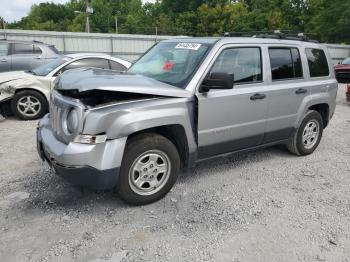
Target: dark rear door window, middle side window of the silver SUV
[{"x": 285, "y": 63}]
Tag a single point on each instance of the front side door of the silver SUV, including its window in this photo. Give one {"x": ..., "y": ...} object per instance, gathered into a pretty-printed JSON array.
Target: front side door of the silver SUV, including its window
[{"x": 234, "y": 119}]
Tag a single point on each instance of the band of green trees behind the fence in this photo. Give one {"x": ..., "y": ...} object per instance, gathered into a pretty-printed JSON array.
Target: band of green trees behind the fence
[{"x": 327, "y": 20}]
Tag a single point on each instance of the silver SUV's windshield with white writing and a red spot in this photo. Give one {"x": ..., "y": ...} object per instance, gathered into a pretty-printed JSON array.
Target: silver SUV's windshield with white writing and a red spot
[{"x": 173, "y": 63}]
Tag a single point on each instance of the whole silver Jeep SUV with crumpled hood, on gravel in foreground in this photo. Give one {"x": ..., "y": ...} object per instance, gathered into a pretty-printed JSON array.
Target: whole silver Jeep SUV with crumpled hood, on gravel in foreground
[{"x": 184, "y": 101}]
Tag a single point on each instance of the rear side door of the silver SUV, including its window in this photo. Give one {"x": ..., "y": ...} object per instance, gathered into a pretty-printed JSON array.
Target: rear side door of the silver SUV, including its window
[{"x": 287, "y": 90}]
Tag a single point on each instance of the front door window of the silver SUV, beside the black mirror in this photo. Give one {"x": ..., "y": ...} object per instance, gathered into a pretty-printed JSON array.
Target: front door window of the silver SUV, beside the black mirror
[{"x": 244, "y": 63}]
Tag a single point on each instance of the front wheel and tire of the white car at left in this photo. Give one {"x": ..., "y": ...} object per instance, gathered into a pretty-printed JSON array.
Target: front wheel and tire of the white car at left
[{"x": 29, "y": 105}]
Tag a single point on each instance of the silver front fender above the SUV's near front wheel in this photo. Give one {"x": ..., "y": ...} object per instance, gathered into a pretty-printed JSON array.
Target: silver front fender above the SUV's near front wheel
[{"x": 123, "y": 120}]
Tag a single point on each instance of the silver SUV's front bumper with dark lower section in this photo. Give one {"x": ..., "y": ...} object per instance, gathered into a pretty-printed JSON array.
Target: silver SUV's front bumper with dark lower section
[{"x": 92, "y": 166}]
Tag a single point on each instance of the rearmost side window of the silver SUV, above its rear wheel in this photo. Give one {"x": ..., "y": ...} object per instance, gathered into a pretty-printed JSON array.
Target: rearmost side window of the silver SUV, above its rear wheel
[{"x": 318, "y": 64}]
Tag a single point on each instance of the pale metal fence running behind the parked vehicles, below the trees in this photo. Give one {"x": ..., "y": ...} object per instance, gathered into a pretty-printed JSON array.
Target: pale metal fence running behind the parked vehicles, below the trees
[{"x": 122, "y": 45}]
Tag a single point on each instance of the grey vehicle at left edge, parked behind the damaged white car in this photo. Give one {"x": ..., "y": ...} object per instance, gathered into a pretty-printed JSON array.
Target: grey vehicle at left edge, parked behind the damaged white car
[{"x": 22, "y": 55}]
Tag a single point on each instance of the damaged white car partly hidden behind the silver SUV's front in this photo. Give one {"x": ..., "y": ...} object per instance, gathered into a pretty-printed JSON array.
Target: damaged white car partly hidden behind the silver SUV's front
[{"x": 27, "y": 93}]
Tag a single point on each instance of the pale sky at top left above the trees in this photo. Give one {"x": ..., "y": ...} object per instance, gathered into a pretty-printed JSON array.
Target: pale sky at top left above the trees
[{"x": 14, "y": 10}]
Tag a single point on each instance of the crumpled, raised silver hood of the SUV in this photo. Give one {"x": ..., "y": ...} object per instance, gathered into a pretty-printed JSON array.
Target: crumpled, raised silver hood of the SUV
[{"x": 86, "y": 79}]
